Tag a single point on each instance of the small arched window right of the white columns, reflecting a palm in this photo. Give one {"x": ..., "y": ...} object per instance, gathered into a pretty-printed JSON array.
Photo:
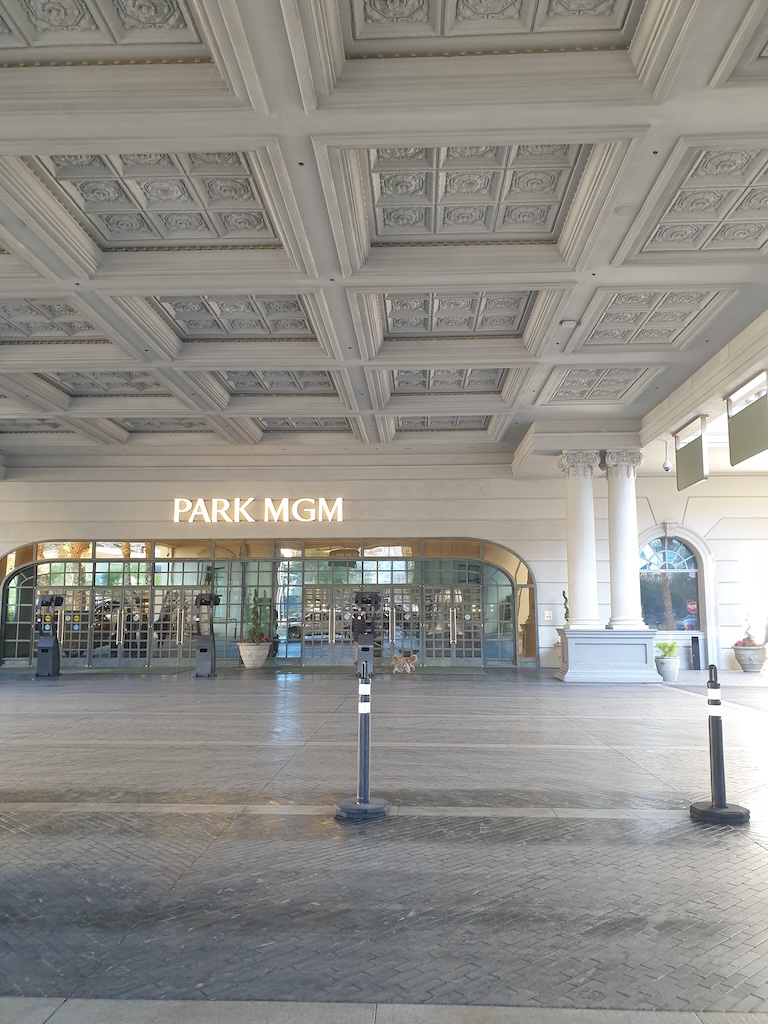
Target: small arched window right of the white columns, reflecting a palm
[{"x": 669, "y": 585}]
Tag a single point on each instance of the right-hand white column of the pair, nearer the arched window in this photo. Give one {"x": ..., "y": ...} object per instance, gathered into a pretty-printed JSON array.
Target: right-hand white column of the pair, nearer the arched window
[{"x": 626, "y": 610}]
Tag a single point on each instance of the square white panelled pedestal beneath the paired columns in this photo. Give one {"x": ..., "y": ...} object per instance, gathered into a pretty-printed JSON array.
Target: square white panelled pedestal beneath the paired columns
[{"x": 608, "y": 657}]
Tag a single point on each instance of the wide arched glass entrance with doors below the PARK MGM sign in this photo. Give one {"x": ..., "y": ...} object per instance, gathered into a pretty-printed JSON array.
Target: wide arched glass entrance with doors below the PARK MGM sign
[{"x": 443, "y": 602}]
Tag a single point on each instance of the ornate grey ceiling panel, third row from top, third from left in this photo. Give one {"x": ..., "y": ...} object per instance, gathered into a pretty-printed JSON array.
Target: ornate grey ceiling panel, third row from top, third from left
[{"x": 440, "y": 314}]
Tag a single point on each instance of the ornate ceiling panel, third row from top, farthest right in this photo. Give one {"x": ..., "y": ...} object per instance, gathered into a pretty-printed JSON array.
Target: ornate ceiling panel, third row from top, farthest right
[{"x": 647, "y": 317}]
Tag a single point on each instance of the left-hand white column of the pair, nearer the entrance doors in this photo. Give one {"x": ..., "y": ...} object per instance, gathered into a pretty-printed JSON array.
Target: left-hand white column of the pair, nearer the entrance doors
[{"x": 580, "y": 539}]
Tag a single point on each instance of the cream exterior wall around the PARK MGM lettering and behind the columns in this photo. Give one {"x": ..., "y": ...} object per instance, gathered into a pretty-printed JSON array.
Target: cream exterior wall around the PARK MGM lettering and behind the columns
[{"x": 727, "y": 519}]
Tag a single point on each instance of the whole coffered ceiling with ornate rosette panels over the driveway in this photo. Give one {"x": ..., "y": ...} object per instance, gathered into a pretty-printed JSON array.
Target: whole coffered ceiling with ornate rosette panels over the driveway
[{"x": 361, "y": 231}]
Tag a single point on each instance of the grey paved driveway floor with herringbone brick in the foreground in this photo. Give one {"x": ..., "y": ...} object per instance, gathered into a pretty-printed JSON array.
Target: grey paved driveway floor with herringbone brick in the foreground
[{"x": 168, "y": 852}]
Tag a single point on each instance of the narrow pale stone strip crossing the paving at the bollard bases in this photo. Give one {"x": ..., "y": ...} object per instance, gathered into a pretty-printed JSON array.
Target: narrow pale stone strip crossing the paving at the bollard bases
[{"x": 316, "y": 810}]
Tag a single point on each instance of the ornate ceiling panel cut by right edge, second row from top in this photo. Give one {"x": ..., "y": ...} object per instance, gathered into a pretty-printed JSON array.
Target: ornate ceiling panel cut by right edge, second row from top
[{"x": 720, "y": 202}]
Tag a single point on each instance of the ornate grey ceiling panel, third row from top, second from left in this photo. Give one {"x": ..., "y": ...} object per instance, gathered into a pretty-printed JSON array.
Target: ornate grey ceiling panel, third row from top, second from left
[{"x": 238, "y": 317}]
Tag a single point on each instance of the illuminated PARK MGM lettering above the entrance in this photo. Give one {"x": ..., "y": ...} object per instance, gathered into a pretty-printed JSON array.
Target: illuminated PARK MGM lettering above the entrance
[{"x": 259, "y": 510}]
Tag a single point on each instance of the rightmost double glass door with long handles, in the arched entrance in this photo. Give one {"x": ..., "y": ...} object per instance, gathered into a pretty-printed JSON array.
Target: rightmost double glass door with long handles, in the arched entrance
[{"x": 452, "y": 626}]
